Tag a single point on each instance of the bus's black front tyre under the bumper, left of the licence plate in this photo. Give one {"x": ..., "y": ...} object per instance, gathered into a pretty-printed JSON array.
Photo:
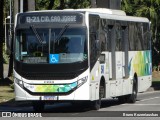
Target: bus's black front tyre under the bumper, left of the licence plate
[{"x": 38, "y": 106}]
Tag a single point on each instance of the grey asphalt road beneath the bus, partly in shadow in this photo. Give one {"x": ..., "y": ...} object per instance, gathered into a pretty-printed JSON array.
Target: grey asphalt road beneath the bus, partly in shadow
[{"x": 147, "y": 104}]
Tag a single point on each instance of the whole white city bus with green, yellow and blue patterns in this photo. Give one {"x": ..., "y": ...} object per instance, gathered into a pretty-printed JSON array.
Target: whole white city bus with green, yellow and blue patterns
[{"x": 81, "y": 55}]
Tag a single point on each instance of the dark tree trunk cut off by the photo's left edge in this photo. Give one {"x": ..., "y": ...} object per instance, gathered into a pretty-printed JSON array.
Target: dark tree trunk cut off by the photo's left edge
[{"x": 1, "y": 39}]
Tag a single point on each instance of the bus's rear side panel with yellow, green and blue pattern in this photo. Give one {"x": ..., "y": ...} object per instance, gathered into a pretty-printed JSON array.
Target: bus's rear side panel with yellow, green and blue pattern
[{"x": 140, "y": 63}]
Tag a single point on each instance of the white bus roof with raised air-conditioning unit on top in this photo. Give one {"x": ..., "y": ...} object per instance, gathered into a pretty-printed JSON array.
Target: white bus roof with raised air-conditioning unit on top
[{"x": 102, "y": 12}]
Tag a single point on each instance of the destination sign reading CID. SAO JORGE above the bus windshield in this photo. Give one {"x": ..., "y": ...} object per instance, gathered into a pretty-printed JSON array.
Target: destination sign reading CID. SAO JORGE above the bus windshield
[{"x": 53, "y": 18}]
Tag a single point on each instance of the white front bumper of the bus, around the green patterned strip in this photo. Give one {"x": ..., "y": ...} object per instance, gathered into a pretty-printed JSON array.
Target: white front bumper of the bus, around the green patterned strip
[{"x": 78, "y": 94}]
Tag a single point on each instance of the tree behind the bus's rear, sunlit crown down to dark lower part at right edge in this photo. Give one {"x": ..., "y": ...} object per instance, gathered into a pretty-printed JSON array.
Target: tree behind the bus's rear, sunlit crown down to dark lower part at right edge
[{"x": 149, "y": 9}]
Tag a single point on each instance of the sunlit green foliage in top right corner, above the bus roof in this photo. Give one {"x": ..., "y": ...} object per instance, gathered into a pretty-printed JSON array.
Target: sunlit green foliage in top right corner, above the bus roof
[{"x": 143, "y": 8}]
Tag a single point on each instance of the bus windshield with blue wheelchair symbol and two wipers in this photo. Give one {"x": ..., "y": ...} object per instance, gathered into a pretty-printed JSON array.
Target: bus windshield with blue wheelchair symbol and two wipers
[{"x": 52, "y": 45}]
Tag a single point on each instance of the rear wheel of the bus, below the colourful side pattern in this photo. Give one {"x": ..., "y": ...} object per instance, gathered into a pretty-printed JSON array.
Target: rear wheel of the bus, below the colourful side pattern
[{"x": 132, "y": 97}]
